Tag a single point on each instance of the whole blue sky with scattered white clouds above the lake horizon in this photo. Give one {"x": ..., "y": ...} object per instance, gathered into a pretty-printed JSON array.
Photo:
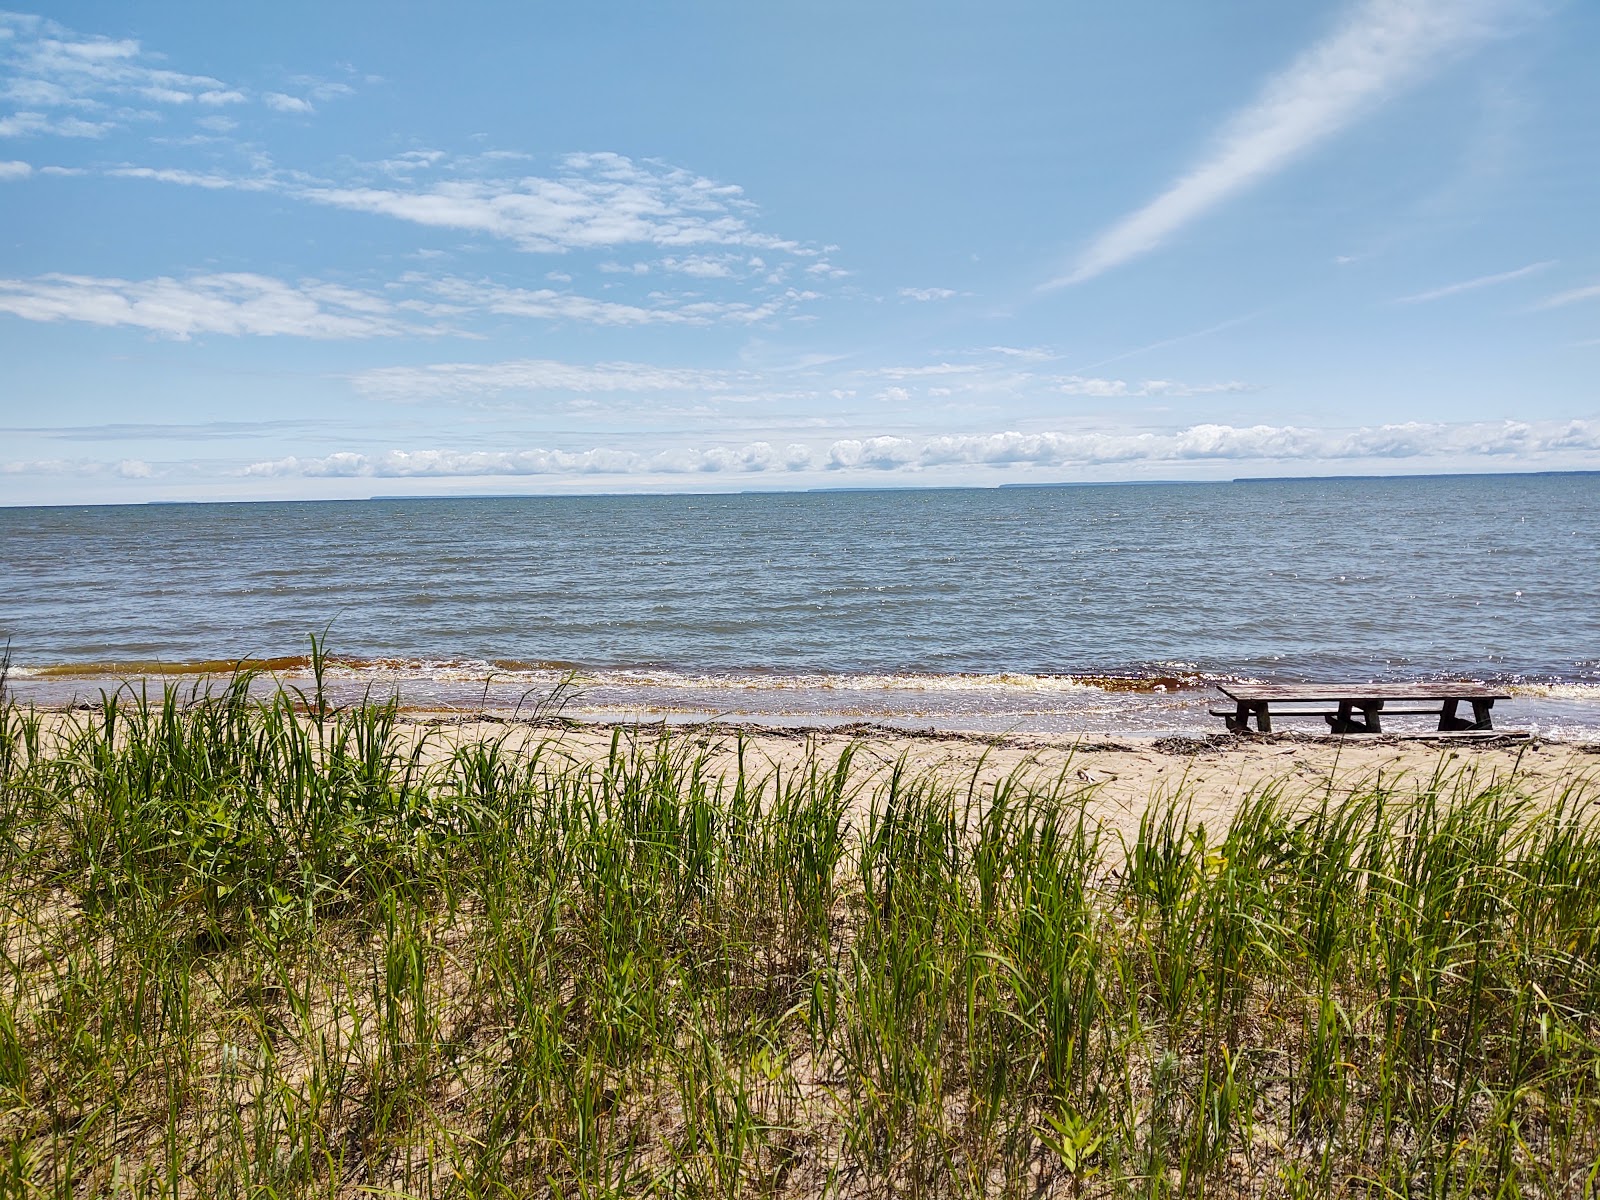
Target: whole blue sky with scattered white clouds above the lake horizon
[{"x": 370, "y": 249}]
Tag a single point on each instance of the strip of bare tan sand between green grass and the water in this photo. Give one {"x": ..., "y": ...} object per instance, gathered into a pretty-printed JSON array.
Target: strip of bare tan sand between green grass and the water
[{"x": 1118, "y": 778}]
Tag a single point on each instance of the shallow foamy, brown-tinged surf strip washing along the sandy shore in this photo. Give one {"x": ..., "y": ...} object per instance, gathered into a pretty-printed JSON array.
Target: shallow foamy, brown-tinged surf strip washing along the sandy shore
[{"x": 980, "y": 705}]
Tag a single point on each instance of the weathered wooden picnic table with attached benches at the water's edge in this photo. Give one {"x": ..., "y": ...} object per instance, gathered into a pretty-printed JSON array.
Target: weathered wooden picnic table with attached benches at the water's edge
[{"x": 1361, "y": 708}]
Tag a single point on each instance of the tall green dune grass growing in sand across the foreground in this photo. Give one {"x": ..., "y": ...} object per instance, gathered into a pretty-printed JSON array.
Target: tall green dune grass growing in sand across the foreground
[{"x": 255, "y": 946}]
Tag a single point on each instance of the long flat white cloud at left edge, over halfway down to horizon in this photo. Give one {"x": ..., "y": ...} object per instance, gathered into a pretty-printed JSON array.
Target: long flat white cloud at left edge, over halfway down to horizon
[{"x": 226, "y": 303}]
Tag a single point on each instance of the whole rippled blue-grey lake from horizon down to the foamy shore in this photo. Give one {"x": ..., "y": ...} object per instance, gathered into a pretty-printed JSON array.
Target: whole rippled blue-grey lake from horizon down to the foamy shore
[{"x": 1015, "y": 609}]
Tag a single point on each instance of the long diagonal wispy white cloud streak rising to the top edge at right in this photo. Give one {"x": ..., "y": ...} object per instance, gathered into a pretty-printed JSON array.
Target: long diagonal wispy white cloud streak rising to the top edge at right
[{"x": 1380, "y": 49}]
